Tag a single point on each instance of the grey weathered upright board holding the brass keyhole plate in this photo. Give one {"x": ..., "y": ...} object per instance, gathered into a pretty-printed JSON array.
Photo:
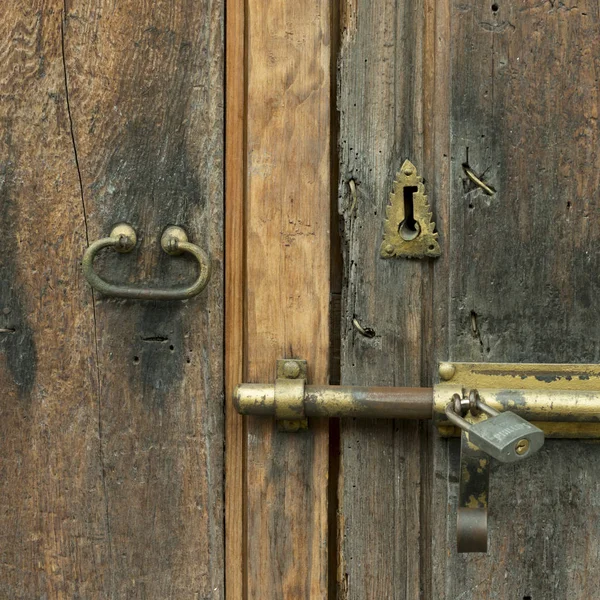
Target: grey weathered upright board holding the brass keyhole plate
[{"x": 383, "y": 464}]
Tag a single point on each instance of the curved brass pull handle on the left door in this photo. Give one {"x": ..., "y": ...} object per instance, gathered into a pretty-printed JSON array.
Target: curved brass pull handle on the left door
[{"x": 123, "y": 238}]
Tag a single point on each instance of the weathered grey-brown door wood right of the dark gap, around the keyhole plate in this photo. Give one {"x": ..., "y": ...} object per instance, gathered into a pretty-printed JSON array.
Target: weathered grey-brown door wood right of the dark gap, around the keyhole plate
[{"x": 509, "y": 90}]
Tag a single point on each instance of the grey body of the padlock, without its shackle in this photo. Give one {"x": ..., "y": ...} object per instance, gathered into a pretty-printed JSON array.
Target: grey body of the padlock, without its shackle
[{"x": 502, "y": 437}]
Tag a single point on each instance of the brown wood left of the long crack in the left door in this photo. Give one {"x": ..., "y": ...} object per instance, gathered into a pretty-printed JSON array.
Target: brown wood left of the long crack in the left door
[{"x": 53, "y": 530}]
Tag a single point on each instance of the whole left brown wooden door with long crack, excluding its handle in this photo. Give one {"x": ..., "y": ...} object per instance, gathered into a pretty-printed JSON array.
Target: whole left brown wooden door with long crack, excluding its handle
[{"x": 111, "y": 422}]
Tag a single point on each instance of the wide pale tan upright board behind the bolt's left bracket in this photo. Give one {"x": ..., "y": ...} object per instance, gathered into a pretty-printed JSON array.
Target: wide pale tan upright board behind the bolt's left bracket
[{"x": 287, "y": 266}]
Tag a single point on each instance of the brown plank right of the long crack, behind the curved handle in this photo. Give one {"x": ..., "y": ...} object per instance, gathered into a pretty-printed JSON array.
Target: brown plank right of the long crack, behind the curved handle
[{"x": 145, "y": 87}]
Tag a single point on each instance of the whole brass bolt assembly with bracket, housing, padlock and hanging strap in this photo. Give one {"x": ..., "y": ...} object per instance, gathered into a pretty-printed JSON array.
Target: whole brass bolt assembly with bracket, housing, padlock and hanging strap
[{"x": 562, "y": 401}]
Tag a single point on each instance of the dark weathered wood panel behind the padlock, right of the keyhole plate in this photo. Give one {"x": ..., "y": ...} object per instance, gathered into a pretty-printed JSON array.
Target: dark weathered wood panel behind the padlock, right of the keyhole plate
[{"x": 519, "y": 284}]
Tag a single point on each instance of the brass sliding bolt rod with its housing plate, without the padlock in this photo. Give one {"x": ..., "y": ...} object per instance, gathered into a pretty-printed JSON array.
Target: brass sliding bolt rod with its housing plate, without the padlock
[{"x": 562, "y": 400}]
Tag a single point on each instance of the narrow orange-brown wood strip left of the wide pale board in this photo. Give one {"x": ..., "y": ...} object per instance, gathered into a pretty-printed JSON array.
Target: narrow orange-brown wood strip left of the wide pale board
[{"x": 235, "y": 164}]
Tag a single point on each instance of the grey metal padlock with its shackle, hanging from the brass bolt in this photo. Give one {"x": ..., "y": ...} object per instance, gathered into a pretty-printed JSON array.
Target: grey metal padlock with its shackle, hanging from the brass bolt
[{"x": 505, "y": 436}]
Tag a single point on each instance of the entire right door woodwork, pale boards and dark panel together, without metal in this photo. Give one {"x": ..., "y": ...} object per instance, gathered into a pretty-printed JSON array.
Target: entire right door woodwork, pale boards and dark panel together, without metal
[{"x": 327, "y": 100}]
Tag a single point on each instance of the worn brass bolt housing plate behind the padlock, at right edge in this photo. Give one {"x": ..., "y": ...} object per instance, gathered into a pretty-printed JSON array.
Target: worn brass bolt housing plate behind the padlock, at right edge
[{"x": 563, "y": 400}]
